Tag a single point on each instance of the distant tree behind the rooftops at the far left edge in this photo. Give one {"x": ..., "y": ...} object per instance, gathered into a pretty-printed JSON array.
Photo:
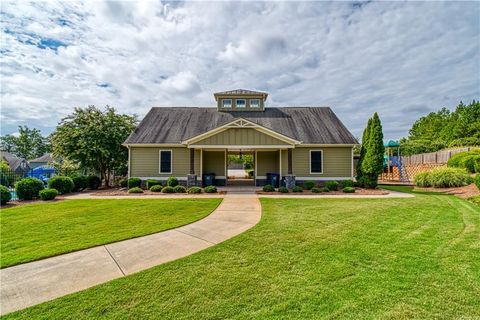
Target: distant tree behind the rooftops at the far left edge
[{"x": 29, "y": 144}]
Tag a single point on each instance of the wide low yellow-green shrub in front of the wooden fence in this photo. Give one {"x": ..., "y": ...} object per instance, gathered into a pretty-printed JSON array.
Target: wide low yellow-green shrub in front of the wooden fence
[{"x": 443, "y": 178}]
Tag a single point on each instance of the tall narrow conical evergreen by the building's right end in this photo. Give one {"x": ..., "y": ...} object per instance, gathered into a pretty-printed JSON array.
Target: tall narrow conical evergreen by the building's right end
[{"x": 372, "y": 165}]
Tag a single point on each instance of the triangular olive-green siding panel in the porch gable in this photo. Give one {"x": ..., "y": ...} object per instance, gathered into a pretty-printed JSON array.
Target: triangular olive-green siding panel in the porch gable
[{"x": 240, "y": 136}]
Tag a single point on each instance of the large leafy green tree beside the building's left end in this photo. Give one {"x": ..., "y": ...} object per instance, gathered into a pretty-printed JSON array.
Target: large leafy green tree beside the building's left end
[{"x": 93, "y": 138}]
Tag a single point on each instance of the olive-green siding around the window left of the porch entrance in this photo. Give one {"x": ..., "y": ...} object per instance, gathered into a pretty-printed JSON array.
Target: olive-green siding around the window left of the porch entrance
[{"x": 144, "y": 162}]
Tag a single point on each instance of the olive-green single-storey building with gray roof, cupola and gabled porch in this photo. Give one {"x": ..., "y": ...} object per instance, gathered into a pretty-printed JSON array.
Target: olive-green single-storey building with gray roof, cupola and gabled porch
[{"x": 297, "y": 143}]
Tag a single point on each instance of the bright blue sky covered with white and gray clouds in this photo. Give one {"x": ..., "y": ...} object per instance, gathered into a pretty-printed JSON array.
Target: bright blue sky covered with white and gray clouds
[{"x": 400, "y": 59}]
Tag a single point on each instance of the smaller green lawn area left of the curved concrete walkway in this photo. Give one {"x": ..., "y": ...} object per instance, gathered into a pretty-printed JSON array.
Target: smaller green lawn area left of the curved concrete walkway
[{"x": 35, "y": 231}]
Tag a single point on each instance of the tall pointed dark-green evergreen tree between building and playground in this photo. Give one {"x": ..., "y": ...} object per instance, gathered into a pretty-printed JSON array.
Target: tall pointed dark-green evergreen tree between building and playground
[{"x": 370, "y": 164}]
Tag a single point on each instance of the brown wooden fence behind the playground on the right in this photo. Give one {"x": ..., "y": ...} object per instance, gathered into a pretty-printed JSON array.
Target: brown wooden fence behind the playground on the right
[{"x": 411, "y": 165}]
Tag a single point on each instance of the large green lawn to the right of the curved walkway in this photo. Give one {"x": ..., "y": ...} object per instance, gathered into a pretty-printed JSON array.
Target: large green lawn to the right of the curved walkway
[{"x": 310, "y": 258}]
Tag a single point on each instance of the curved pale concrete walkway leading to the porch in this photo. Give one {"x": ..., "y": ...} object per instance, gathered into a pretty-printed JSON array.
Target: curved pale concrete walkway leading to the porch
[{"x": 36, "y": 282}]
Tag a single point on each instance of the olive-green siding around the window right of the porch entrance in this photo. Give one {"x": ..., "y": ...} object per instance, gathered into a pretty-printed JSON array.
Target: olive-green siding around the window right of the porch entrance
[{"x": 337, "y": 162}]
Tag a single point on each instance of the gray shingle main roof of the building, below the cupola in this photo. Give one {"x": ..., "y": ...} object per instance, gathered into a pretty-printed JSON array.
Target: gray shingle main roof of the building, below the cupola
[{"x": 311, "y": 125}]
